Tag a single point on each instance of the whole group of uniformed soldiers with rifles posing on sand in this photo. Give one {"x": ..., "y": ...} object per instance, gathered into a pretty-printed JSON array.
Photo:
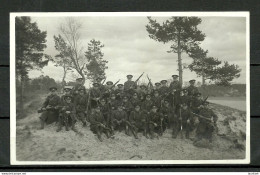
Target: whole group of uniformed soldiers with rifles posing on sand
[{"x": 131, "y": 108}]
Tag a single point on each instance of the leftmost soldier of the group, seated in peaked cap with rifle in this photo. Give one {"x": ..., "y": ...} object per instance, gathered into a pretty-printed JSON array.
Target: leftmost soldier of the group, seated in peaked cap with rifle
[{"x": 50, "y": 108}]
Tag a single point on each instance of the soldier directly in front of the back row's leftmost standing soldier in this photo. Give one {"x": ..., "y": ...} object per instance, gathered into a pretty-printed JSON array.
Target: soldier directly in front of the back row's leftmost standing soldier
[{"x": 81, "y": 103}]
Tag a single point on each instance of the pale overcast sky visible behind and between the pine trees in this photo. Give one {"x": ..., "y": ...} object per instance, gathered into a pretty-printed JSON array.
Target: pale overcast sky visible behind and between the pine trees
[{"x": 129, "y": 50}]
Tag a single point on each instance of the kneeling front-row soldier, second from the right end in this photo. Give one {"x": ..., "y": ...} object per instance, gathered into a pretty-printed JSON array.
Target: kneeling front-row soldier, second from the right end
[{"x": 185, "y": 121}]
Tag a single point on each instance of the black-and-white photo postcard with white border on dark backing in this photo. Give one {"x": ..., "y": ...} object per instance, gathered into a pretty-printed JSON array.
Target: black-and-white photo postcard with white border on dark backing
[{"x": 130, "y": 88}]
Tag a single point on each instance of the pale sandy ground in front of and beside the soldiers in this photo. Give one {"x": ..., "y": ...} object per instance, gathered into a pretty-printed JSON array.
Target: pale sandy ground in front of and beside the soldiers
[{"x": 48, "y": 145}]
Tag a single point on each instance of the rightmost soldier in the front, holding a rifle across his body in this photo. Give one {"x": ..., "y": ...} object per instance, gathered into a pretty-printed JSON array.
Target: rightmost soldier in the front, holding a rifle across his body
[{"x": 207, "y": 123}]
